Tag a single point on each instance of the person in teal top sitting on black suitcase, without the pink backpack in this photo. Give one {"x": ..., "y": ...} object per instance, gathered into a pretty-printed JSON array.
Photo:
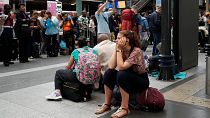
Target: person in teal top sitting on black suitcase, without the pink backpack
[{"x": 69, "y": 74}]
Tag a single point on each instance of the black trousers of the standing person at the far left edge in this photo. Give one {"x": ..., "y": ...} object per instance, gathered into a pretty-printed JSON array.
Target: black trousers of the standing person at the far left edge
[{"x": 6, "y": 40}]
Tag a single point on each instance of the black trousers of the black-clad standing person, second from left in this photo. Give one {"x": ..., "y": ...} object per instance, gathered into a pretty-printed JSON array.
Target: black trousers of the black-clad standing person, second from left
[{"x": 25, "y": 44}]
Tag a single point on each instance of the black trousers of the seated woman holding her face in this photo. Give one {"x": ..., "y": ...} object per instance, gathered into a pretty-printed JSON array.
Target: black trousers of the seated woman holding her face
[{"x": 129, "y": 81}]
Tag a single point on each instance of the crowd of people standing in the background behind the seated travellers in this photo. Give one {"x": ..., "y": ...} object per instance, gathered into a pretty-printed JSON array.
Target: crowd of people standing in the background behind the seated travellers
[{"x": 40, "y": 33}]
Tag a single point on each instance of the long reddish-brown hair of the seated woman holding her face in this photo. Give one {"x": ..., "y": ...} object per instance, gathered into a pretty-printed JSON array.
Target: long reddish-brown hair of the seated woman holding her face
[{"x": 132, "y": 37}]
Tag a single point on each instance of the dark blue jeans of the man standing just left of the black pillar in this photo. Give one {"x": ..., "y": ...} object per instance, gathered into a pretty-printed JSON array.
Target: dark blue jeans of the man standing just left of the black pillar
[{"x": 156, "y": 41}]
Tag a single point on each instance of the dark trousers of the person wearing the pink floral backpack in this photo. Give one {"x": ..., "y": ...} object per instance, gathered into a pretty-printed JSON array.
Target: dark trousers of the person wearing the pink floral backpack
[{"x": 64, "y": 75}]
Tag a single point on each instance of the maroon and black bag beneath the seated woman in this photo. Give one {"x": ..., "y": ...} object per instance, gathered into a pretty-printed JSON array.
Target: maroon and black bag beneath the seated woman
[{"x": 149, "y": 100}]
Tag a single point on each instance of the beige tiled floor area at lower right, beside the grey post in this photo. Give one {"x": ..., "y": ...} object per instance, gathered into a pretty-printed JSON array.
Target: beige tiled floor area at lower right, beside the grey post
[{"x": 186, "y": 92}]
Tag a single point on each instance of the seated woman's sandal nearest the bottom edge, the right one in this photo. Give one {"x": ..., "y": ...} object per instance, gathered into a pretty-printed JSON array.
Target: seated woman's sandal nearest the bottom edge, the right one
[{"x": 118, "y": 113}]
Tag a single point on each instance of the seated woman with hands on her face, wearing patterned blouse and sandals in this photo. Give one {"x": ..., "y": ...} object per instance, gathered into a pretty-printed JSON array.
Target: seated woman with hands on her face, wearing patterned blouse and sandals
[{"x": 130, "y": 75}]
